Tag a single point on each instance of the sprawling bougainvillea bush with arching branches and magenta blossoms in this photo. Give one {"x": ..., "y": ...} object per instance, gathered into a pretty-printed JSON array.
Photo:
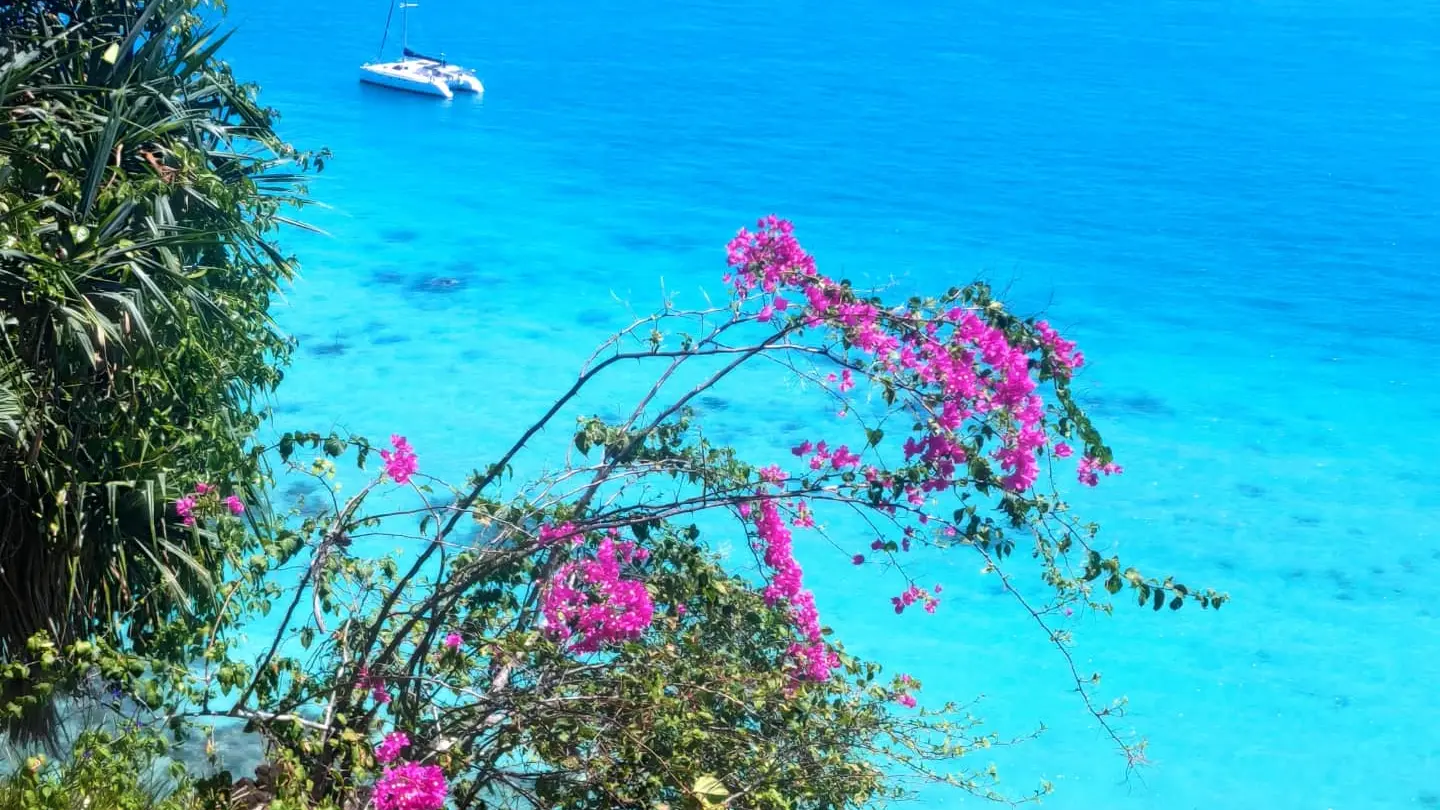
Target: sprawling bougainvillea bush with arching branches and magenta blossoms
[{"x": 574, "y": 641}]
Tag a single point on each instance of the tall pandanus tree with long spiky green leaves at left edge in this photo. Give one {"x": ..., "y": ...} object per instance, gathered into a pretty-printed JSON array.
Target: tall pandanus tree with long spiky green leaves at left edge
[{"x": 140, "y": 191}]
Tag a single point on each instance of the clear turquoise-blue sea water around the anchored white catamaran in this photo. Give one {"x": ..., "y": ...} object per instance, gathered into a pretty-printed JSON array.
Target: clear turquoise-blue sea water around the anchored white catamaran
[{"x": 1233, "y": 207}]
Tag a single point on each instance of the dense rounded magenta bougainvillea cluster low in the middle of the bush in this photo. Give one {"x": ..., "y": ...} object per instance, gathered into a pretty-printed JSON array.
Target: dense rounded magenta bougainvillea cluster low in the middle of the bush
[{"x": 588, "y": 603}]
